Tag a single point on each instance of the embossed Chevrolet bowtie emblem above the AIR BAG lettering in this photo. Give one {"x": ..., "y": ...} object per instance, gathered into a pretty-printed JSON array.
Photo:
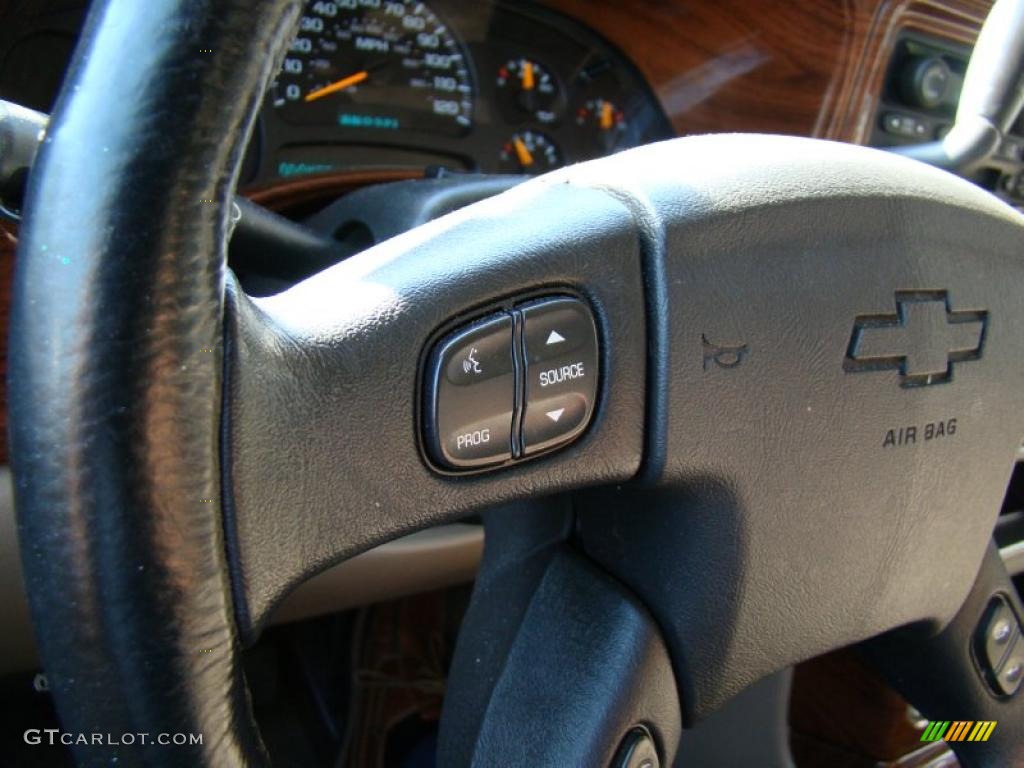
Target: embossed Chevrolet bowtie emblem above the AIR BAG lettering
[{"x": 922, "y": 340}]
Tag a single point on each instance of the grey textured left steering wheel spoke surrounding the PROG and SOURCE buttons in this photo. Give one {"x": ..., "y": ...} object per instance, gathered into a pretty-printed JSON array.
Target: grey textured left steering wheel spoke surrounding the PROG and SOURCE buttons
[{"x": 324, "y": 430}]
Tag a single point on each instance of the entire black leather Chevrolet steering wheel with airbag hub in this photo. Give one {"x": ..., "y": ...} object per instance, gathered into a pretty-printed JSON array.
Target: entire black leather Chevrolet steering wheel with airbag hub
[{"x": 808, "y": 405}]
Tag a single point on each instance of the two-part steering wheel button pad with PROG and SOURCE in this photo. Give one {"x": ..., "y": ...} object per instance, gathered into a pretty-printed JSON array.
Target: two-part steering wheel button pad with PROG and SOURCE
[{"x": 511, "y": 386}]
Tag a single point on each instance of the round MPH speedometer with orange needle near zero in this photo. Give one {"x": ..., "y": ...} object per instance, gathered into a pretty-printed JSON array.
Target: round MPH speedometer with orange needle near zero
[{"x": 378, "y": 66}]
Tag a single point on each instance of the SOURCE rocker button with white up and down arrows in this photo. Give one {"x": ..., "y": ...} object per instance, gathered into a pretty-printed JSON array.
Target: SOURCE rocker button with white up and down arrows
[{"x": 562, "y": 356}]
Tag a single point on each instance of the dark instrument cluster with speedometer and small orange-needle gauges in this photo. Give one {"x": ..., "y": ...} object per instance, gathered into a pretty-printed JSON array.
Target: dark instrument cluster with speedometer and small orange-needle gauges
[{"x": 494, "y": 88}]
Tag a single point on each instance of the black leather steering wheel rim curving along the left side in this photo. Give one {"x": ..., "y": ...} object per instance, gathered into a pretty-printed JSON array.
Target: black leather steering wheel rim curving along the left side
[{"x": 140, "y": 269}]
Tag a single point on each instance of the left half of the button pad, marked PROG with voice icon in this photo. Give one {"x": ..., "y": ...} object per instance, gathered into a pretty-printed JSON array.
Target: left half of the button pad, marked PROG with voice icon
[{"x": 472, "y": 397}]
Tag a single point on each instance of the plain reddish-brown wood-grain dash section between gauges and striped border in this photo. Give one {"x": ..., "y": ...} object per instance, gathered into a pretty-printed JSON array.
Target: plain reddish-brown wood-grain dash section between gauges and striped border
[{"x": 762, "y": 66}]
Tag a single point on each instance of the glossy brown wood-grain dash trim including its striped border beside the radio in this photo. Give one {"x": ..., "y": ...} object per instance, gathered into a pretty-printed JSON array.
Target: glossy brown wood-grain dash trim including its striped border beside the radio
[{"x": 809, "y": 69}]
